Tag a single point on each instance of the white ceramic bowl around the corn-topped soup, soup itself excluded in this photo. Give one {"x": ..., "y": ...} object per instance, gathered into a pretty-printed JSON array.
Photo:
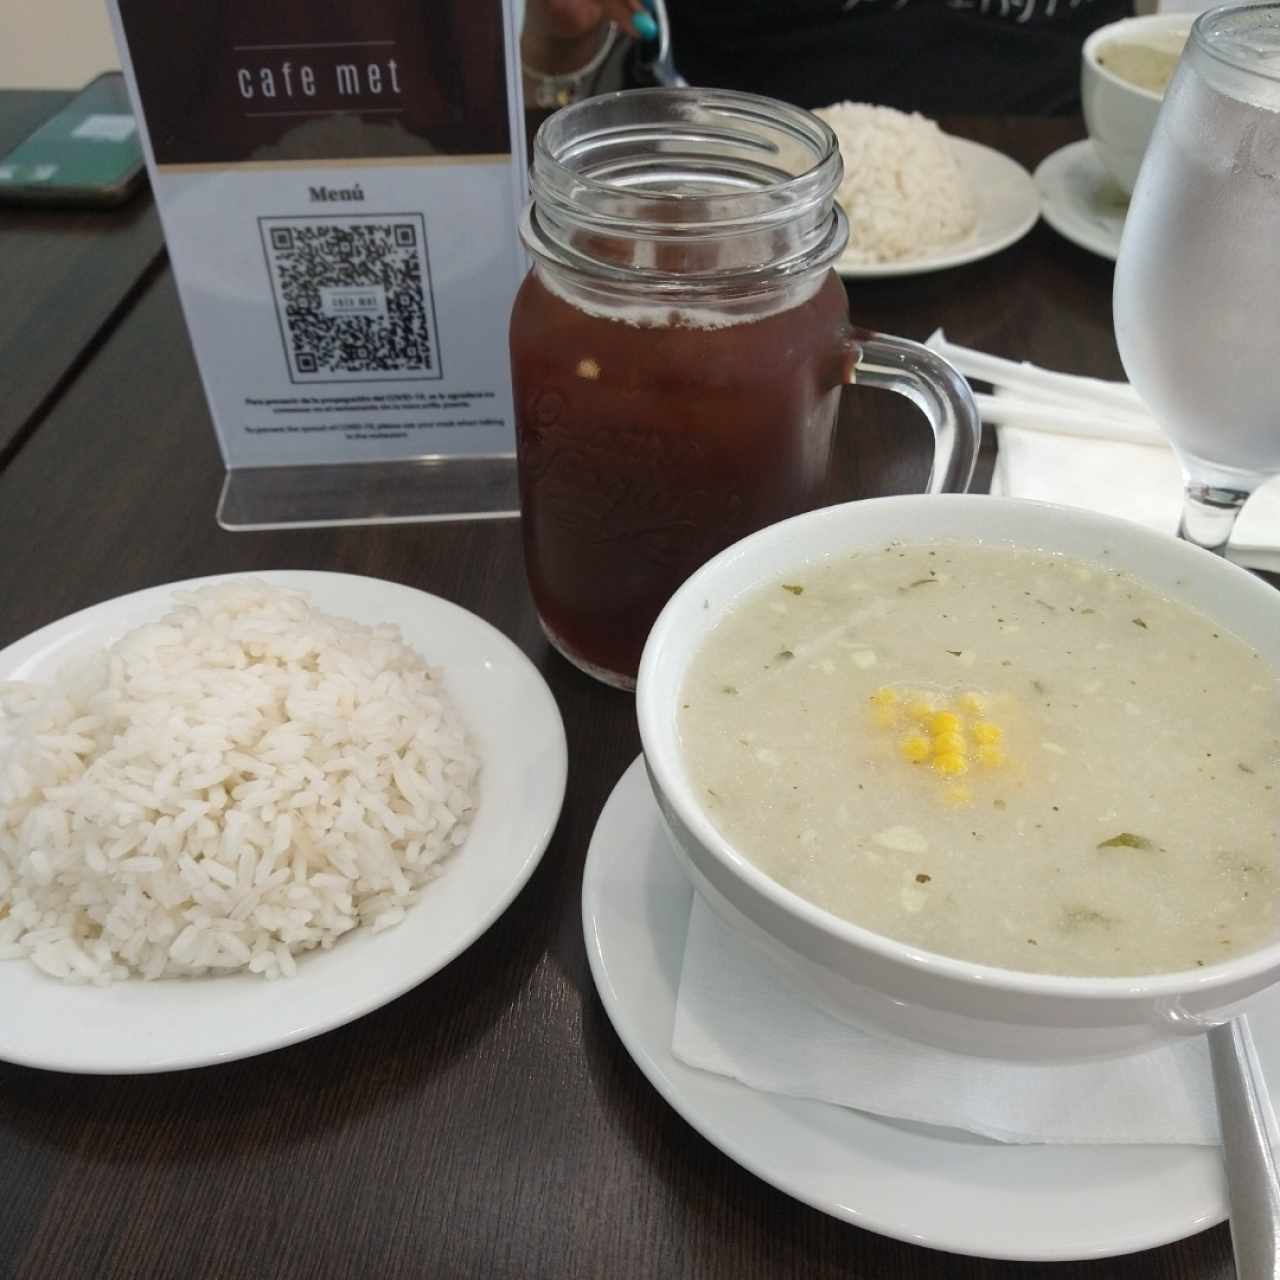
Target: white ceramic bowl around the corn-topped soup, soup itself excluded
[{"x": 867, "y": 979}]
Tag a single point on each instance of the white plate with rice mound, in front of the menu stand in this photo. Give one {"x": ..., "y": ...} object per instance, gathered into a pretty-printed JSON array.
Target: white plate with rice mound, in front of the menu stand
[{"x": 243, "y": 811}]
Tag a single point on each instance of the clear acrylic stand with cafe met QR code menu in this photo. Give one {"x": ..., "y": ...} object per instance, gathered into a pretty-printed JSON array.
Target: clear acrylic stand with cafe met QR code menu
[{"x": 340, "y": 190}]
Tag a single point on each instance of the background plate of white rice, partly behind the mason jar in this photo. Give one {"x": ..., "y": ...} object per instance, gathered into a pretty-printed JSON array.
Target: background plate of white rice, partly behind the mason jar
[{"x": 920, "y": 200}]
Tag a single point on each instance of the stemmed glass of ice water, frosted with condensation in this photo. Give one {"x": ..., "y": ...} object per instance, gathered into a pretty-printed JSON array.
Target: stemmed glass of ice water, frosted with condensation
[{"x": 1197, "y": 287}]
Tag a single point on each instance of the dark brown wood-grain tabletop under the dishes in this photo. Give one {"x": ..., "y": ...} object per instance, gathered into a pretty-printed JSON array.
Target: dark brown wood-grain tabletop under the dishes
[{"x": 490, "y": 1123}]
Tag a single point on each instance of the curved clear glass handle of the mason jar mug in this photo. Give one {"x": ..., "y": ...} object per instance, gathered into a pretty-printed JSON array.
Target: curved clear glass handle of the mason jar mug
[{"x": 939, "y": 391}]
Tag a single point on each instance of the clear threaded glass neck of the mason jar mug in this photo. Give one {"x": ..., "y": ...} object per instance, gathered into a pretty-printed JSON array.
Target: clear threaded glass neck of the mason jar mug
[{"x": 694, "y": 171}]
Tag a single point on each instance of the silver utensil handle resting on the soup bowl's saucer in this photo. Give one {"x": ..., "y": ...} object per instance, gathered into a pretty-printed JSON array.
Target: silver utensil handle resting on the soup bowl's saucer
[{"x": 1249, "y": 1150}]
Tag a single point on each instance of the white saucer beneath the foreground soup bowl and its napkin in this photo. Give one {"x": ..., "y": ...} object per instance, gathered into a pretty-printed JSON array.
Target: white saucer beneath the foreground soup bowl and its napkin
[{"x": 931, "y": 1187}]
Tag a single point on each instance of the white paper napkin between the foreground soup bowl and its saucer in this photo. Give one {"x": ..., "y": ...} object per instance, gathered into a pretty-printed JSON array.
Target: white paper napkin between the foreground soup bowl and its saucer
[{"x": 738, "y": 1016}]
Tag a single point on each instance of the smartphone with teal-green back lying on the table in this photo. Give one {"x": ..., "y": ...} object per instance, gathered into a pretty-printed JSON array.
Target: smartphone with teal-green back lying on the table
[{"x": 88, "y": 154}]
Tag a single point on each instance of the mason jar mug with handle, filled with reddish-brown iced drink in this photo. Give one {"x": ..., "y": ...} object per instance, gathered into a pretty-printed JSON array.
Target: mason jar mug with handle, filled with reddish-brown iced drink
[{"x": 679, "y": 353}]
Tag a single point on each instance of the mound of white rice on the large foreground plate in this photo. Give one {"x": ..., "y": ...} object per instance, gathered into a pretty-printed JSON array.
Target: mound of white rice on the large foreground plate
[{"x": 243, "y": 781}]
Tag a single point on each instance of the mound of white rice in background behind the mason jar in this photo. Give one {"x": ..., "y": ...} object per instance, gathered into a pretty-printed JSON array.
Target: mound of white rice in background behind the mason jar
[{"x": 903, "y": 191}]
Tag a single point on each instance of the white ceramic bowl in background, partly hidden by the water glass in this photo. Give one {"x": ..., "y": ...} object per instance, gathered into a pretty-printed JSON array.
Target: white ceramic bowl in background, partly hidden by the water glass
[{"x": 1121, "y": 116}]
